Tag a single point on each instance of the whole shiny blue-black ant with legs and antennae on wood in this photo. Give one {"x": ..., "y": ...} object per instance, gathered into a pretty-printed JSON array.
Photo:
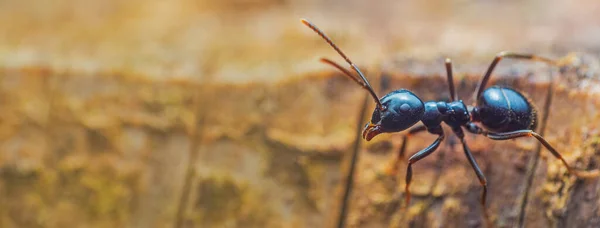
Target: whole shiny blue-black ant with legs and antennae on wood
[{"x": 504, "y": 112}]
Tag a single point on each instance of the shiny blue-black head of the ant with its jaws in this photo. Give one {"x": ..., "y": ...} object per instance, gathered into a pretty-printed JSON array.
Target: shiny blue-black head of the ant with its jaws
[{"x": 402, "y": 109}]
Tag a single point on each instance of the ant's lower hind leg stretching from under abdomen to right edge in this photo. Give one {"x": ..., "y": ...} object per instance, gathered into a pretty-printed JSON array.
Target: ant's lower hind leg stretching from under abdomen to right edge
[{"x": 530, "y": 133}]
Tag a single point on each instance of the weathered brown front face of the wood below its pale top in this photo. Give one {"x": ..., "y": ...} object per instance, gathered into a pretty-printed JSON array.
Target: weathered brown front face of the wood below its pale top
[{"x": 117, "y": 155}]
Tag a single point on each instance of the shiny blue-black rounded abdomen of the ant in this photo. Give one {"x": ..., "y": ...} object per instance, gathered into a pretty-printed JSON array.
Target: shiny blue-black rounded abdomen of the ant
[{"x": 502, "y": 109}]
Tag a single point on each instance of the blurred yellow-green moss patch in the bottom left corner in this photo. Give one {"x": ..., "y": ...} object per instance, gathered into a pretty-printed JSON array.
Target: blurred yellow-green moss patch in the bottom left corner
[{"x": 66, "y": 197}]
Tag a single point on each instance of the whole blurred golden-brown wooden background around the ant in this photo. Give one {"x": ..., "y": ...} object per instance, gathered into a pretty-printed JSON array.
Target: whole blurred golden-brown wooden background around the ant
[{"x": 194, "y": 113}]
